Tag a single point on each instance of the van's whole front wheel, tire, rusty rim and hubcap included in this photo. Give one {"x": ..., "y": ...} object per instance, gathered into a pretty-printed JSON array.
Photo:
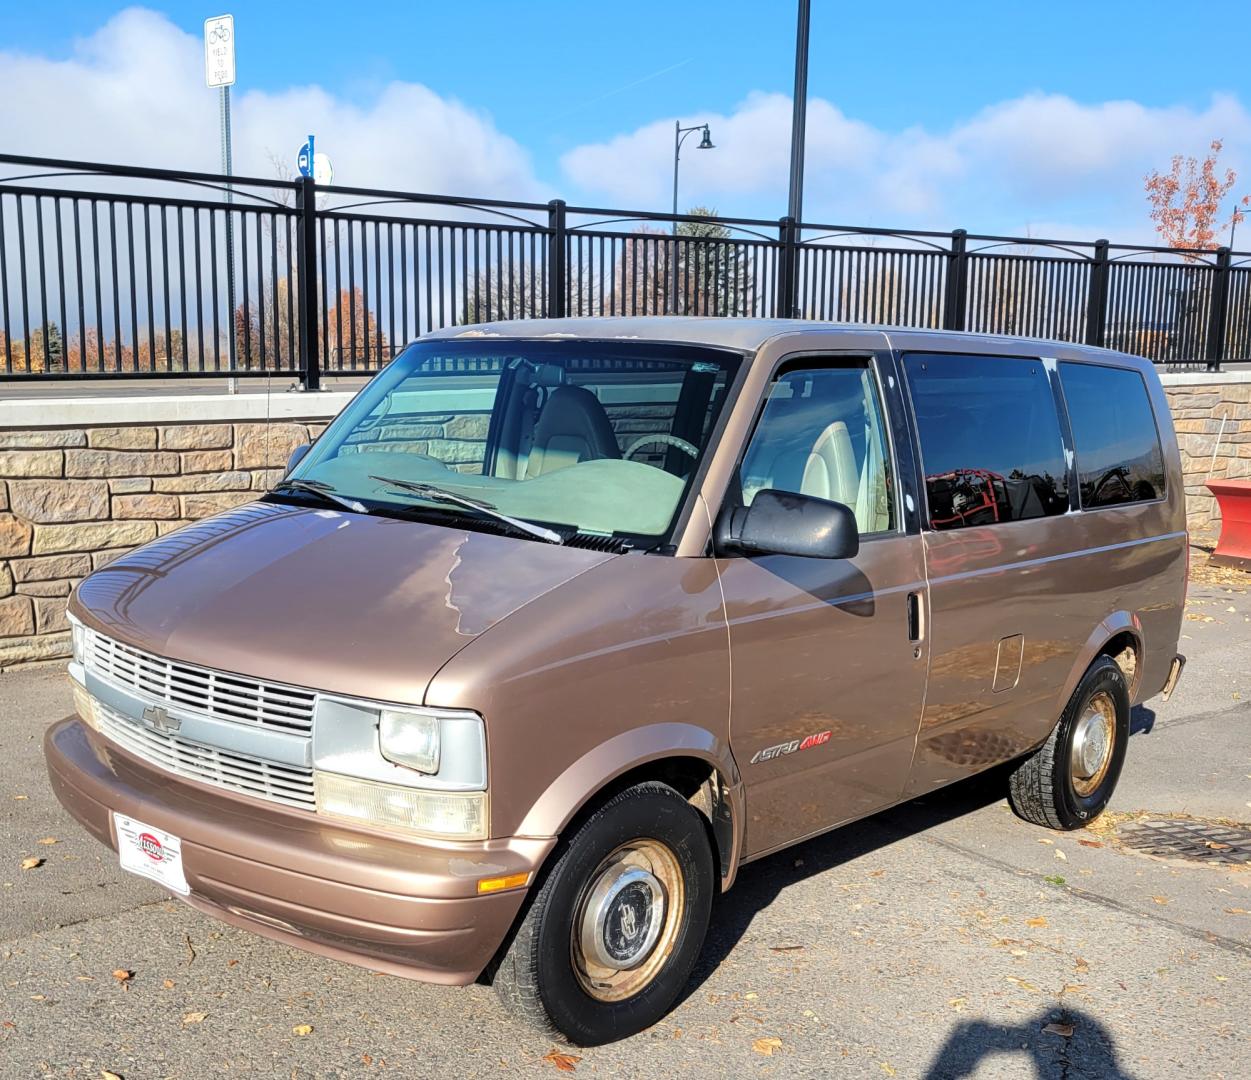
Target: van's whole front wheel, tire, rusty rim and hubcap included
[{"x": 612, "y": 935}]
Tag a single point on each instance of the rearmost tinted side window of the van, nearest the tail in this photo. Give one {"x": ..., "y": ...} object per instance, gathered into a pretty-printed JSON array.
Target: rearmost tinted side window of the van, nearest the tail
[{"x": 1119, "y": 456}]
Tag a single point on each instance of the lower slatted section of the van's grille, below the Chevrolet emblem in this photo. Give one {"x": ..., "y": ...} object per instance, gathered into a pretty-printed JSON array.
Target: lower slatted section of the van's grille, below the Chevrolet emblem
[{"x": 287, "y": 784}]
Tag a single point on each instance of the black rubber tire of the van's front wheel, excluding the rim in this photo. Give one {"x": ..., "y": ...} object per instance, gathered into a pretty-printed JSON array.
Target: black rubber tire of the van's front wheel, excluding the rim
[{"x": 537, "y": 979}]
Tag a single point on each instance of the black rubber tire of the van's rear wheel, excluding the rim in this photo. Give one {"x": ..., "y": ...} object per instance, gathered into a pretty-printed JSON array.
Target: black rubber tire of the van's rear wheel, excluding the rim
[{"x": 1044, "y": 790}]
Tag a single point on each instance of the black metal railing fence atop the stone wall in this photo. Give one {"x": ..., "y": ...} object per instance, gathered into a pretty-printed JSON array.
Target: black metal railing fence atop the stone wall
[{"x": 114, "y": 272}]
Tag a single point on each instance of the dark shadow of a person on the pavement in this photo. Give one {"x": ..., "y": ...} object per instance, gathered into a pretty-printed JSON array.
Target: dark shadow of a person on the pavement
[{"x": 1075, "y": 1046}]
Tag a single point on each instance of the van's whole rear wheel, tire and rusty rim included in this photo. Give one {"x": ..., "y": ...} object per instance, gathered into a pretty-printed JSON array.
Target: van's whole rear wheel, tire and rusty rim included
[{"x": 1068, "y": 783}]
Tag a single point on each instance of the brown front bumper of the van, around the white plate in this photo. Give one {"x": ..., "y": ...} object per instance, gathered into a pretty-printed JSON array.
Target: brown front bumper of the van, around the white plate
[{"x": 396, "y": 905}]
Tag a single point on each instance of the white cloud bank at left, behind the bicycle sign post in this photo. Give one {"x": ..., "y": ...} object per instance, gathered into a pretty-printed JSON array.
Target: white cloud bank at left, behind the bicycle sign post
[{"x": 134, "y": 93}]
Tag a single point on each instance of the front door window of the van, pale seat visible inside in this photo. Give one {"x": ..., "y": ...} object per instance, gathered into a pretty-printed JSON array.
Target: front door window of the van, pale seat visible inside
[{"x": 823, "y": 435}]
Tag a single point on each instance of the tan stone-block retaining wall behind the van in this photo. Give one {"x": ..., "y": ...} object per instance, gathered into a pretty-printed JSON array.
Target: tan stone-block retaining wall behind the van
[{"x": 84, "y": 480}]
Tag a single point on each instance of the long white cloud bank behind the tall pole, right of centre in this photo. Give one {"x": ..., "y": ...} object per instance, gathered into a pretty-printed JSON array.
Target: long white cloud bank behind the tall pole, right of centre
[{"x": 1039, "y": 158}]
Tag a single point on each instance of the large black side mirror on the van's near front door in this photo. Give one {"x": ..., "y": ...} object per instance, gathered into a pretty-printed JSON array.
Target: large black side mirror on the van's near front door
[{"x": 789, "y": 524}]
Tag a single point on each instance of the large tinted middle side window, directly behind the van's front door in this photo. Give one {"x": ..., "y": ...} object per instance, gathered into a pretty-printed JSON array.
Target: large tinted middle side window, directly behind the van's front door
[{"x": 990, "y": 440}]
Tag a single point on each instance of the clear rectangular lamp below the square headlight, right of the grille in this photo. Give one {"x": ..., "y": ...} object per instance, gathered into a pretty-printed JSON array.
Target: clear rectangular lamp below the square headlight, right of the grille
[{"x": 448, "y": 815}]
